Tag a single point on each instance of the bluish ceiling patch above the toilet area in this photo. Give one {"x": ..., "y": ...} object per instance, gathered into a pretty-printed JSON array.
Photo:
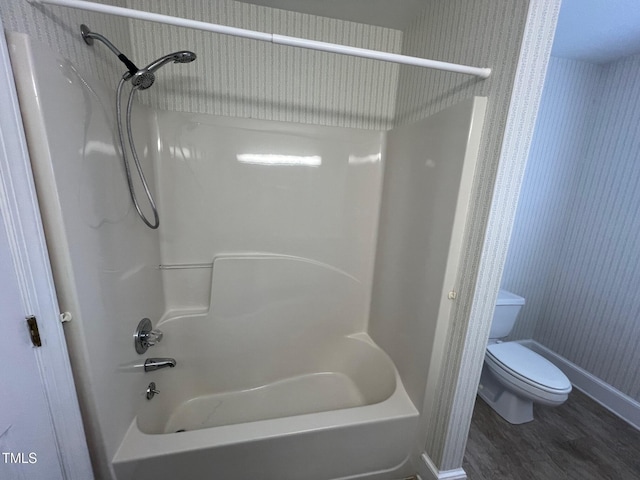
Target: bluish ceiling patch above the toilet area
[{"x": 598, "y": 31}]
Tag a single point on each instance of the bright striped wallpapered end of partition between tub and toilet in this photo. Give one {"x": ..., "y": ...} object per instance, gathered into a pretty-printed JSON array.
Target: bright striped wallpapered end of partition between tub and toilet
[{"x": 526, "y": 93}]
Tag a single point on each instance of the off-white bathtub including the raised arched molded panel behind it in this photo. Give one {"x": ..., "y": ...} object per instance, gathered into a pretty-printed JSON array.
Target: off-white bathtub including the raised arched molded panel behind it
[{"x": 271, "y": 382}]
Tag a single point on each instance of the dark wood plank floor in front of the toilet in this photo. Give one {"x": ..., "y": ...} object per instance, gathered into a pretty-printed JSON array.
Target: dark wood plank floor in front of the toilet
[{"x": 578, "y": 440}]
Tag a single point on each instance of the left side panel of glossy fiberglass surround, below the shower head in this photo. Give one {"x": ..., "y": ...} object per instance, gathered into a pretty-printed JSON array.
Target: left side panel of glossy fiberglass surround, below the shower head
[{"x": 104, "y": 259}]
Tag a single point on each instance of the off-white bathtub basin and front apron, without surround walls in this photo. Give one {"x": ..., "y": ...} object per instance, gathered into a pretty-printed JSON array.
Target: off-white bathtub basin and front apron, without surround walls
[{"x": 343, "y": 413}]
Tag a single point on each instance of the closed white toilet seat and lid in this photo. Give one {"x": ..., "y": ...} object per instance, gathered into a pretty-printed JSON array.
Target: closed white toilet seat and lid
[{"x": 528, "y": 372}]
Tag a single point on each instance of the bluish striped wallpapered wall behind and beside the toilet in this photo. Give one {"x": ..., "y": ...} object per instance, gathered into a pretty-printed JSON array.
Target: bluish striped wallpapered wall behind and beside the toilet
[{"x": 588, "y": 309}]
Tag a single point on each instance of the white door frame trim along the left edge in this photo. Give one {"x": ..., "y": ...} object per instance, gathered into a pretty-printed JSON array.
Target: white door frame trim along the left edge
[{"x": 22, "y": 222}]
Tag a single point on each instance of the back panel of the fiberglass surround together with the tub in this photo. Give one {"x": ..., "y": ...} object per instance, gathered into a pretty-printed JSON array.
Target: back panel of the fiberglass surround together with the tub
[{"x": 276, "y": 375}]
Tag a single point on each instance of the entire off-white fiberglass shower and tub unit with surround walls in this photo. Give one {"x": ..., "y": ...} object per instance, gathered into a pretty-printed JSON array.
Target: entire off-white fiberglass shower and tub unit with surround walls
[{"x": 291, "y": 282}]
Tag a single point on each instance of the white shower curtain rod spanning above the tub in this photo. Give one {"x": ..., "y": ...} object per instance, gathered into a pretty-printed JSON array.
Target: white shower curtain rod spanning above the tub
[{"x": 269, "y": 37}]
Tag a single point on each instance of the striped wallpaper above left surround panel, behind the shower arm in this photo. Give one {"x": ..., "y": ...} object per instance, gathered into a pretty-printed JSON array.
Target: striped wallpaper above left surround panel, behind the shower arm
[{"x": 59, "y": 28}]
